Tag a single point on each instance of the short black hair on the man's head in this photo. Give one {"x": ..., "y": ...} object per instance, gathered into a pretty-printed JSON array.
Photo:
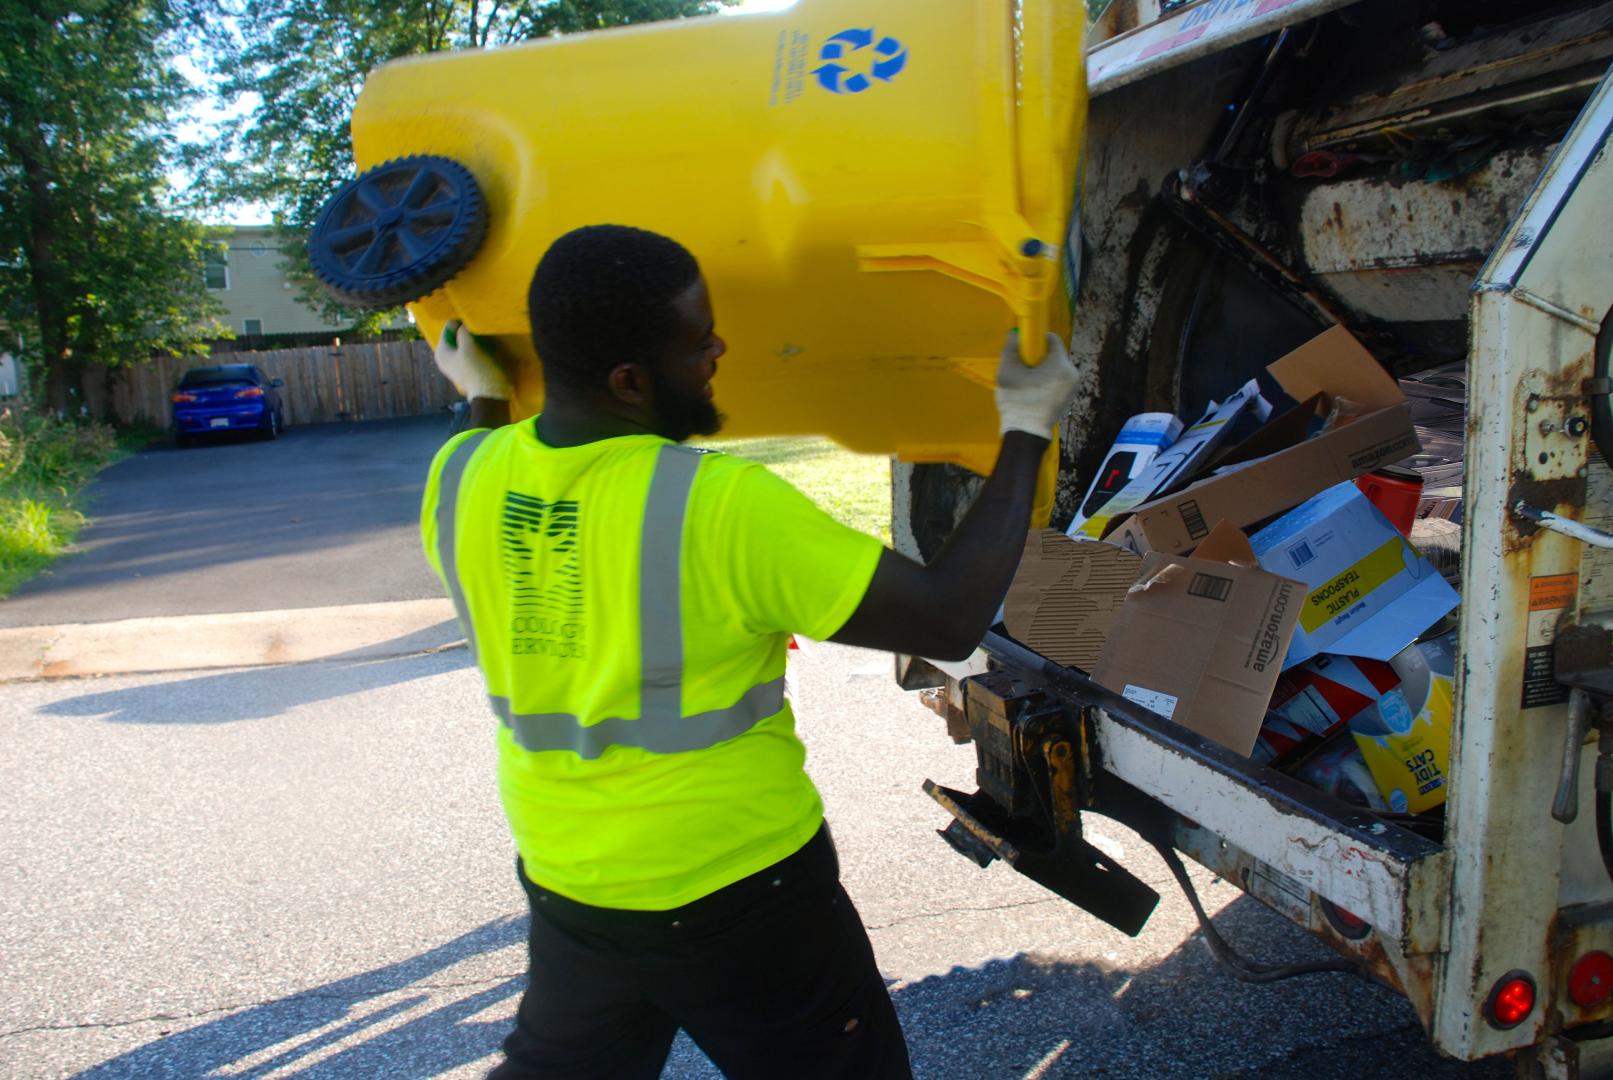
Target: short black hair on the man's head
[{"x": 604, "y": 296}]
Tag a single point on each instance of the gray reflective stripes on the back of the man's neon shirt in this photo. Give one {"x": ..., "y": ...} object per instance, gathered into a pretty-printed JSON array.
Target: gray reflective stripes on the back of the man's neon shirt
[{"x": 661, "y": 728}]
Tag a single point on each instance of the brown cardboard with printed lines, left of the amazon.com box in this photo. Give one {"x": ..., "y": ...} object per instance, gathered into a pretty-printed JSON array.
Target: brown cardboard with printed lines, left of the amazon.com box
[{"x": 1067, "y": 596}]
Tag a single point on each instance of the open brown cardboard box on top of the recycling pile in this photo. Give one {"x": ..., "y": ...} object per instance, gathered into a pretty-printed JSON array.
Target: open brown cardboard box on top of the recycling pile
[{"x": 1282, "y": 468}]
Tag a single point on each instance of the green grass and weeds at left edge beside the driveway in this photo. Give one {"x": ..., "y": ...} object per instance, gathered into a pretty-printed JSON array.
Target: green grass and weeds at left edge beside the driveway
[{"x": 44, "y": 465}]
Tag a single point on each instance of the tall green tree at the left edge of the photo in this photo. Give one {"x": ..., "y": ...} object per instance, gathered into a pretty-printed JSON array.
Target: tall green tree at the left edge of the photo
[{"x": 99, "y": 268}]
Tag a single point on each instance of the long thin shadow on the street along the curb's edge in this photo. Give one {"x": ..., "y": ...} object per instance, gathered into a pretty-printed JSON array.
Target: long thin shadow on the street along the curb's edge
[{"x": 262, "y": 692}]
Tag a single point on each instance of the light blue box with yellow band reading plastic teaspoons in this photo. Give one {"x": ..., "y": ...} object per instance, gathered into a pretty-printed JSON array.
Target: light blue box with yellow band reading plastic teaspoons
[{"x": 1369, "y": 591}]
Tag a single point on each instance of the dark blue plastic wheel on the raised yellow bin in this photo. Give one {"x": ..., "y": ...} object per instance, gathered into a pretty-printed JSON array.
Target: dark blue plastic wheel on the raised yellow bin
[{"x": 398, "y": 233}]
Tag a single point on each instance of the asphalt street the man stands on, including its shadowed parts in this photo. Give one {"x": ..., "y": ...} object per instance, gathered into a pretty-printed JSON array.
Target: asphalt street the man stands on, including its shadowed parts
[{"x": 304, "y": 873}]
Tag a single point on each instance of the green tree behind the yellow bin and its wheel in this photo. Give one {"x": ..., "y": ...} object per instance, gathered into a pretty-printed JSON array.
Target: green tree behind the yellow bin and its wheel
[{"x": 301, "y": 65}]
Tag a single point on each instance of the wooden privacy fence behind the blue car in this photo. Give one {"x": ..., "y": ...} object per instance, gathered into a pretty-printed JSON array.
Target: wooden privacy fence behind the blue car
[{"x": 323, "y": 384}]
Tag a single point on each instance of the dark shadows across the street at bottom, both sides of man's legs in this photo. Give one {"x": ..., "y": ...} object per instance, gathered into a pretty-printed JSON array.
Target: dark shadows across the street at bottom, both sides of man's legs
[{"x": 1007, "y": 1020}]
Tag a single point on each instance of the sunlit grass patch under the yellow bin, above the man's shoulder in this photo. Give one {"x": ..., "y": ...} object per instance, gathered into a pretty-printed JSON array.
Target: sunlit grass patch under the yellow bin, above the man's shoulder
[{"x": 856, "y": 489}]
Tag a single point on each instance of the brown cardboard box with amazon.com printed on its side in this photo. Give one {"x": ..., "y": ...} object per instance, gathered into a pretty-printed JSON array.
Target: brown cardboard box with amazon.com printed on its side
[{"x": 1201, "y": 641}]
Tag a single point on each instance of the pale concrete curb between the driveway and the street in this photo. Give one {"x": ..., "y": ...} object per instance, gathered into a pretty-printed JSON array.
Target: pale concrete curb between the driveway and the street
[{"x": 228, "y": 641}]
